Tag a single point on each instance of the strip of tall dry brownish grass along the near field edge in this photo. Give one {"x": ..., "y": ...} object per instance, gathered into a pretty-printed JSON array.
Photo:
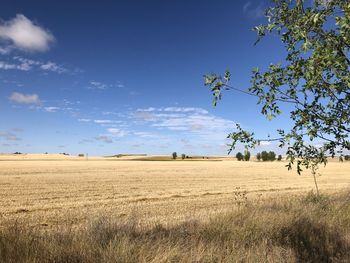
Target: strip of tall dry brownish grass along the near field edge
[{"x": 294, "y": 229}]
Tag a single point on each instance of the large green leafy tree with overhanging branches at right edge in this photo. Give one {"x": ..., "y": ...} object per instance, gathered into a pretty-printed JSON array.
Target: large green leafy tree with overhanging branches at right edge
[{"x": 313, "y": 79}]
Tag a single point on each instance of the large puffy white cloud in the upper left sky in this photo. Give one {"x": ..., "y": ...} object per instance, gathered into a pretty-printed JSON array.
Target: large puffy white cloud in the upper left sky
[{"x": 23, "y": 34}]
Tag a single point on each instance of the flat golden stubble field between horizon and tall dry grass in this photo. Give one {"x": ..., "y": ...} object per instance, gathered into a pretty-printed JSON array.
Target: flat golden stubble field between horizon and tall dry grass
[{"x": 54, "y": 190}]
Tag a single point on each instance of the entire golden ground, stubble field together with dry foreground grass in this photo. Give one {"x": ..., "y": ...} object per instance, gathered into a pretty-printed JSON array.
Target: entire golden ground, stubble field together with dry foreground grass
[{"x": 64, "y": 209}]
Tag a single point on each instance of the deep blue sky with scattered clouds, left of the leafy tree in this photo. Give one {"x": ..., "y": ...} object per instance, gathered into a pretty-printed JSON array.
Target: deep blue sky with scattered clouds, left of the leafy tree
[{"x": 113, "y": 77}]
